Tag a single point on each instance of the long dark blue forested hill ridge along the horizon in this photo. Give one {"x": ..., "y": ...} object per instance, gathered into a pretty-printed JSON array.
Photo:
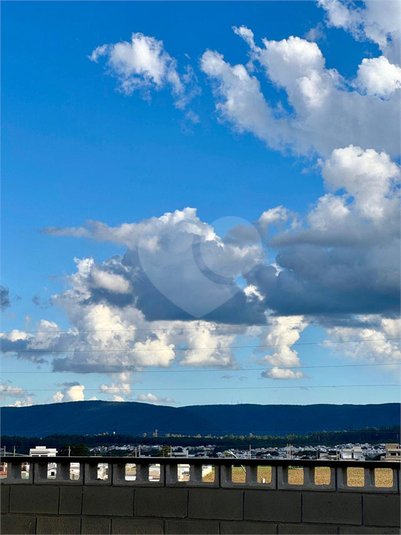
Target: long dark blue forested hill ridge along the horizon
[{"x": 92, "y": 417}]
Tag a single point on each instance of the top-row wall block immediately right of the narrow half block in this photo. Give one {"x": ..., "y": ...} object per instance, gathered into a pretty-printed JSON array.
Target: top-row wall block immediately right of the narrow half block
[{"x": 108, "y": 501}]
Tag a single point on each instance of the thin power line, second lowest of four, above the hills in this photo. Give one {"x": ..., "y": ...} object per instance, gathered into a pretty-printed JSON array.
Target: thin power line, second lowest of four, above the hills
[{"x": 221, "y": 370}]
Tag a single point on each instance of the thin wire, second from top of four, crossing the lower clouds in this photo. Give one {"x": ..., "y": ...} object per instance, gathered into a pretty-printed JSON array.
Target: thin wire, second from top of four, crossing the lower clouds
[{"x": 196, "y": 348}]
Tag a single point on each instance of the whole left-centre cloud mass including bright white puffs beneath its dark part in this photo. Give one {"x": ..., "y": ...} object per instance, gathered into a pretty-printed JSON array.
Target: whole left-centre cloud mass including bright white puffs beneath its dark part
[{"x": 121, "y": 322}]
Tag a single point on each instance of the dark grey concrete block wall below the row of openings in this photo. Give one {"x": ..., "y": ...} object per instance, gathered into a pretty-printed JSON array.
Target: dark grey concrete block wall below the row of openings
[{"x": 54, "y": 508}]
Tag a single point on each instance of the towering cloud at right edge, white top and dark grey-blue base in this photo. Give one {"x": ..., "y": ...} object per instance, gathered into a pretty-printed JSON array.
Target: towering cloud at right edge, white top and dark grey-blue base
[{"x": 345, "y": 257}]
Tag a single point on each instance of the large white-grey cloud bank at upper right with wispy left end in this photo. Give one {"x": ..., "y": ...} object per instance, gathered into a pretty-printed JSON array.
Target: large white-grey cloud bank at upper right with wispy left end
[{"x": 316, "y": 96}]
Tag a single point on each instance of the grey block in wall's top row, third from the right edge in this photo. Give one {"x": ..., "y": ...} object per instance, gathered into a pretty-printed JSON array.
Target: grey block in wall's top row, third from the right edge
[{"x": 273, "y": 505}]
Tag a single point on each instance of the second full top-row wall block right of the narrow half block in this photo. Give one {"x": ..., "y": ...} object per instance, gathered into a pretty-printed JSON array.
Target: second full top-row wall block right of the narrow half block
[{"x": 161, "y": 502}]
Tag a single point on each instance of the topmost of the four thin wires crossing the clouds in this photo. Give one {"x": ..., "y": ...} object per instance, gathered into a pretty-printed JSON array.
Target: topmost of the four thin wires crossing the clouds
[{"x": 239, "y": 326}]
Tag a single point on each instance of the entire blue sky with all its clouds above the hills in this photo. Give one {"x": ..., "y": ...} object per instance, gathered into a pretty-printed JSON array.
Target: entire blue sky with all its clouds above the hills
[{"x": 296, "y": 136}]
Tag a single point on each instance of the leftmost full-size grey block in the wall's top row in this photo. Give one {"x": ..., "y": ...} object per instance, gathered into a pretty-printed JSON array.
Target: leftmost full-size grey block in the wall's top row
[{"x": 35, "y": 499}]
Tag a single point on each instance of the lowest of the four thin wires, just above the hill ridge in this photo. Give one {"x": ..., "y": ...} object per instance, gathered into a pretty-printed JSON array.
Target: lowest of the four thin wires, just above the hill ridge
[{"x": 118, "y": 390}]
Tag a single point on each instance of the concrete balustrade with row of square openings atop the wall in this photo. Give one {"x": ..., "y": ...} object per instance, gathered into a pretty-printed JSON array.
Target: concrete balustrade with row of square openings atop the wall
[{"x": 317, "y": 475}]
